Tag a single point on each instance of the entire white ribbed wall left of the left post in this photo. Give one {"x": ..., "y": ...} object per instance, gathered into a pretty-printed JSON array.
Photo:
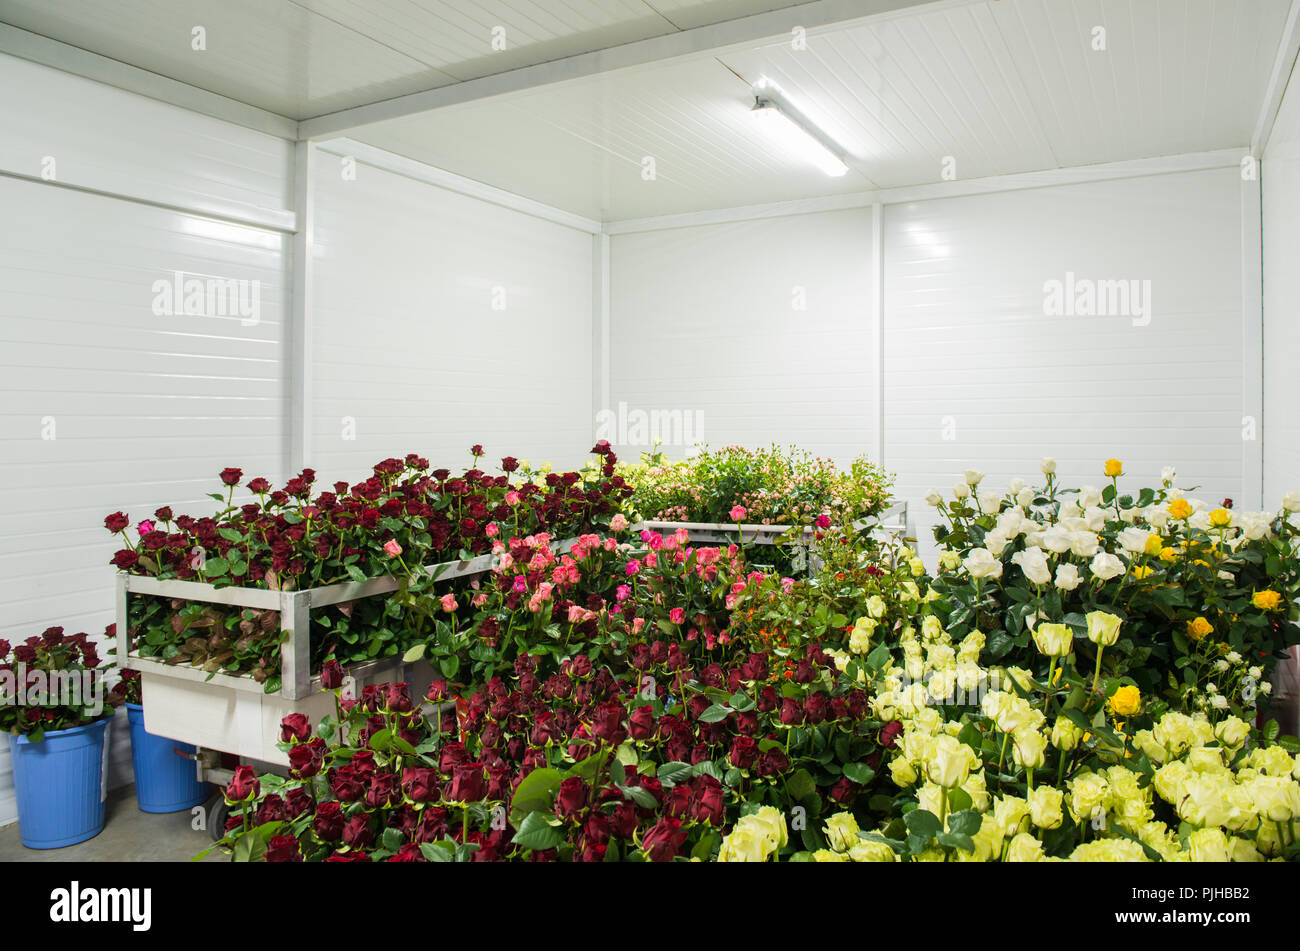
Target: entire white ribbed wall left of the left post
[{"x": 109, "y": 405}]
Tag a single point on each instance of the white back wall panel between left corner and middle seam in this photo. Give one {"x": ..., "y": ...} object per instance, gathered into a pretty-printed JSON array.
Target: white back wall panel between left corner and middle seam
[{"x": 708, "y": 319}]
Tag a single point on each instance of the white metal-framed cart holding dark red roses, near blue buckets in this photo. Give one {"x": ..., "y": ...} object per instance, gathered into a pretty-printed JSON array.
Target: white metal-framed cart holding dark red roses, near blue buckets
[{"x": 220, "y": 713}]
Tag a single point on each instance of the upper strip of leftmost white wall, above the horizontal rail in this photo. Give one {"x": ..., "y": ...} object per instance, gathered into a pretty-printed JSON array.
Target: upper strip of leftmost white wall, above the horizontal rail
[{"x": 111, "y": 141}]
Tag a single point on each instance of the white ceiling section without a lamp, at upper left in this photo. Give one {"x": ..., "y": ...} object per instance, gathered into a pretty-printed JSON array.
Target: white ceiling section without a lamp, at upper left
[{"x": 309, "y": 58}]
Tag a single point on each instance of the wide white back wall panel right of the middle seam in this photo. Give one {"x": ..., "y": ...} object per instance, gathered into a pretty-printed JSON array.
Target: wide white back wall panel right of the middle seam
[{"x": 970, "y": 353}]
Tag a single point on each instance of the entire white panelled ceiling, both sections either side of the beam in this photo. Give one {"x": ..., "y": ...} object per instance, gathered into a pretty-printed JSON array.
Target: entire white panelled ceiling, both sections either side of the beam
[{"x": 1000, "y": 86}]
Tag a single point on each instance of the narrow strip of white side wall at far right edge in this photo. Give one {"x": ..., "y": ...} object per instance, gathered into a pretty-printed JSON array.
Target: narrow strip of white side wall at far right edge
[{"x": 1281, "y": 211}]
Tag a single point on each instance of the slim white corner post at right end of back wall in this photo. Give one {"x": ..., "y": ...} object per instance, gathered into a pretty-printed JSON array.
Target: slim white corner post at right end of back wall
[{"x": 1253, "y": 345}]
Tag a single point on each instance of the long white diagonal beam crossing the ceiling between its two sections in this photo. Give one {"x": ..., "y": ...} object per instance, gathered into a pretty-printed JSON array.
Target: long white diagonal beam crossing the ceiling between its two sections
[{"x": 714, "y": 37}]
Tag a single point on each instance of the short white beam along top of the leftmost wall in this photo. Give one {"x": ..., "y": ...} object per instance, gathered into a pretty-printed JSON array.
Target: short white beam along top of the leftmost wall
[{"x": 70, "y": 59}]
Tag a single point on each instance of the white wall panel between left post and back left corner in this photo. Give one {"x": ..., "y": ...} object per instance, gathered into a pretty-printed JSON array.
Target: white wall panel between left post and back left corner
[{"x": 443, "y": 322}]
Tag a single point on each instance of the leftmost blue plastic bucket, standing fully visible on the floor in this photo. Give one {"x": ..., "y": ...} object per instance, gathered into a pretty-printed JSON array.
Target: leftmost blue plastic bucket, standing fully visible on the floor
[{"x": 62, "y": 784}]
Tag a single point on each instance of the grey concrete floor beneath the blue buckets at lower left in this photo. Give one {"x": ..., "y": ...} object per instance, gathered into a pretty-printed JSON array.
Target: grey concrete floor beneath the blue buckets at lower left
[{"x": 129, "y": 836}]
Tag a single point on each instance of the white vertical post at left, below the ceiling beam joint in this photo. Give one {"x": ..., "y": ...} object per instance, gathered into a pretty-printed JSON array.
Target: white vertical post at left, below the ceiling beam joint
[{"x": 300, "y": 338}]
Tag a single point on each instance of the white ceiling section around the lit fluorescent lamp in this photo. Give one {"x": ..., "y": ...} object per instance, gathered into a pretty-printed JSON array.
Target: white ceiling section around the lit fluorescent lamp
[{"x": 1000, "y": 86}]
